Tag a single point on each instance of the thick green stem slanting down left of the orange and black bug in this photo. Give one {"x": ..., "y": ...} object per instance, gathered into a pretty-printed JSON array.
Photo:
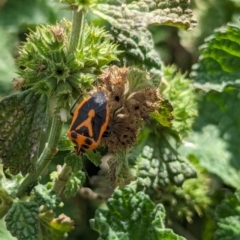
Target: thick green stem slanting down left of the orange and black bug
[{"x": 49, "y": 151}]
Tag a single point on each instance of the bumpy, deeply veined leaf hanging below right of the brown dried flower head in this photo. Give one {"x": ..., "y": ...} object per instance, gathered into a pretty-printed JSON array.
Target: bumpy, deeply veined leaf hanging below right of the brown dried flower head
[{"x": 159, "y": 164}]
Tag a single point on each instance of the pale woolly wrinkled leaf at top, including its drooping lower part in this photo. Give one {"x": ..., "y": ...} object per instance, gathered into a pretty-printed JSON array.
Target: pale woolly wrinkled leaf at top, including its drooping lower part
[{"x": 130, "y": 24}]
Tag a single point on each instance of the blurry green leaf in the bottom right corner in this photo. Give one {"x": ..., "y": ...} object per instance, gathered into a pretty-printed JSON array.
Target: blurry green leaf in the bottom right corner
[{"x": 227, "y": 218}]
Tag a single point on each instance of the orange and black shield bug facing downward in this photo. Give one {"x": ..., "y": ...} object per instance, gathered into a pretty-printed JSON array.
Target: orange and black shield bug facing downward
[{"x": 89, "y": 122}]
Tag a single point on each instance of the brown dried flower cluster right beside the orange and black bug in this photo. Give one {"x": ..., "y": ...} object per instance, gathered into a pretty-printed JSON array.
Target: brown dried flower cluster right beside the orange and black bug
[{"x": 128, "y": 109}]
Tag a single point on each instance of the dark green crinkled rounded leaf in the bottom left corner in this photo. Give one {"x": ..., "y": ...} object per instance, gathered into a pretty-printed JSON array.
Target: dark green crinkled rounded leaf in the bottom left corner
[{"x": 22, "y": 220}]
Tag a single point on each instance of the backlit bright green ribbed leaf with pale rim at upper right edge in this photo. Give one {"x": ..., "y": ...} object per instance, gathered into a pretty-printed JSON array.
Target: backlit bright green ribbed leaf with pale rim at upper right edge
[{"x": 218, "y": 65}]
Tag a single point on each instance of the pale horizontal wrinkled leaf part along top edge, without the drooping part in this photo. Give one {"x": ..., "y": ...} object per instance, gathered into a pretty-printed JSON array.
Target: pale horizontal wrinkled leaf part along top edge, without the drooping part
[{"x": 143, "y": 14}]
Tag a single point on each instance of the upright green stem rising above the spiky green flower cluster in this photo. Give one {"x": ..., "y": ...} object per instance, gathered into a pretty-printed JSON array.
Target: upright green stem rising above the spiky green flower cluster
[{"x": 77, "y": 30}]
